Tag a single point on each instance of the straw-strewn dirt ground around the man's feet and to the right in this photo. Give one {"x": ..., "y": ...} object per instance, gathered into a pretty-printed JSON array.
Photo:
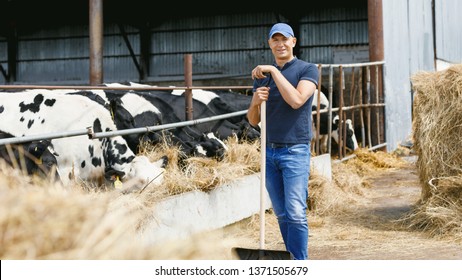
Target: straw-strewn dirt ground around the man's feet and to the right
[{"x": 369, "y": 231}]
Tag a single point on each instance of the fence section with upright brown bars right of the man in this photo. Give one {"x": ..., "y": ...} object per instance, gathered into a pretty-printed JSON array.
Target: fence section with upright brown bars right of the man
[{"x": 363, "y": 106}]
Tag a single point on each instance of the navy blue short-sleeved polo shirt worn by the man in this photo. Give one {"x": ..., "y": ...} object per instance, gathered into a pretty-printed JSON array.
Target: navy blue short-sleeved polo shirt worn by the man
[{"x": 285, "y": 125}]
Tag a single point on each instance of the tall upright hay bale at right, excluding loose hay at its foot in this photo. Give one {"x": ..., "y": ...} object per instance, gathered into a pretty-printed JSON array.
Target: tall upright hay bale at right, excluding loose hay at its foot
[{"x": 437, "y": 124}]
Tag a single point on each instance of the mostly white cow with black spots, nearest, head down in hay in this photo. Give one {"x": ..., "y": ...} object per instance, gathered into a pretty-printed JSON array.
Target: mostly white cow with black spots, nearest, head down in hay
[{"x": 36, "y": 112}]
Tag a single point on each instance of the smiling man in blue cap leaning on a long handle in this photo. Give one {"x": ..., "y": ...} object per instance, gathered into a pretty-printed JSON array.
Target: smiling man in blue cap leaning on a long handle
[{"x": 287, "y": 86}]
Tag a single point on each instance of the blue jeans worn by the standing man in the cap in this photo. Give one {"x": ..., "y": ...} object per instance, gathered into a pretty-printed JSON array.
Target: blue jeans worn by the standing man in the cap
[{"x": 287, "y": 175}]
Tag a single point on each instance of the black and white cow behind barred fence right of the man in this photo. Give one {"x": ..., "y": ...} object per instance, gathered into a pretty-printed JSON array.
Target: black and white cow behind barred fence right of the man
[{"x": 350, "y": 138}]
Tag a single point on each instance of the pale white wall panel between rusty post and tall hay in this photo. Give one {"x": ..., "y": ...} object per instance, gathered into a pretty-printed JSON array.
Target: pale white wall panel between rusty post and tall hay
[{"x": 408, "y": 48}]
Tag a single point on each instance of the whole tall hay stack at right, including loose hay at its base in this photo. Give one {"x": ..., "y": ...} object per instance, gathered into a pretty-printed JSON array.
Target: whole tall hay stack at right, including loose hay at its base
[{"x": 437, "y": 127}]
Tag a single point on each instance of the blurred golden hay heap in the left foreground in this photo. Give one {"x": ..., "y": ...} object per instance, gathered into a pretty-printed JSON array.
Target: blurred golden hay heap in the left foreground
[{"x": 43, "y": 220}]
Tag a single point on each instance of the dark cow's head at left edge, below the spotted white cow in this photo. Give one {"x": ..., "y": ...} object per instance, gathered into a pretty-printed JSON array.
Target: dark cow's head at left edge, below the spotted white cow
[{"x": 35, "y": 157}]
